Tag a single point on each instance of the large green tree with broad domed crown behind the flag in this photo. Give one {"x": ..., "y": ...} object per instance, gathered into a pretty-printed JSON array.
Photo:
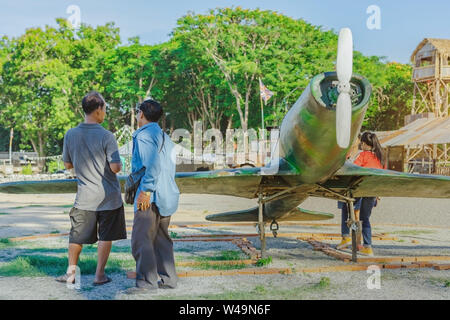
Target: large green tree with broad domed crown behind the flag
[{"x": 246, "y": 45}]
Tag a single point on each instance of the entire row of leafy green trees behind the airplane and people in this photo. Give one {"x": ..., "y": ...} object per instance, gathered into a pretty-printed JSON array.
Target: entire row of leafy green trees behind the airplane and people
[{"x": 209, "y": 70}]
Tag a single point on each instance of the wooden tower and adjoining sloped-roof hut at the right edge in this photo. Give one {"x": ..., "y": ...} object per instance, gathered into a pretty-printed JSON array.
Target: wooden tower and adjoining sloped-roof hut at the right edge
[{"x": 423, "y": 144}]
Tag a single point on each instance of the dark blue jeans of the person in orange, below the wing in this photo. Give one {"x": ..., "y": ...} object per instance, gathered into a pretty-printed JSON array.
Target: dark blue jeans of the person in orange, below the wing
[{"x": 365, "y": 206}]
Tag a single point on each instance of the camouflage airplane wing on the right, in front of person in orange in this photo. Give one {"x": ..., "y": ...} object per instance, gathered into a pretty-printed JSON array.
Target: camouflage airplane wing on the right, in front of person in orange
[{"x": 366, "y": 182}]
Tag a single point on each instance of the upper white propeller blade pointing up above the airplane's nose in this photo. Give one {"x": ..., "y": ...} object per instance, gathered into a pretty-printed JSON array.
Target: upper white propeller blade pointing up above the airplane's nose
[{"x": 344, "y": 63}]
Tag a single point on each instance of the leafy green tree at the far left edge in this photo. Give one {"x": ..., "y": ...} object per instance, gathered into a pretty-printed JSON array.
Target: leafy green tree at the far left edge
[{"x": 34, "y": 76}]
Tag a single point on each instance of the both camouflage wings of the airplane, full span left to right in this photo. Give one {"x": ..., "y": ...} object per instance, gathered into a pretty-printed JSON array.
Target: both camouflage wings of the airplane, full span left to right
[{"x": 245, "y": 182}]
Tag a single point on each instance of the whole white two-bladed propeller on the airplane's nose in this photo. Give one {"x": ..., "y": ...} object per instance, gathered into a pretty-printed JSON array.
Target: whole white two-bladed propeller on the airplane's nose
[{"x": 344, "y": 73}]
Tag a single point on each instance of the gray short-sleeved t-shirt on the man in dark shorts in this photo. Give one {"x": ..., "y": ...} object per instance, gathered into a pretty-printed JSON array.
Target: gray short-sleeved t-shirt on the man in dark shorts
[{"x": 90, "y": 148}]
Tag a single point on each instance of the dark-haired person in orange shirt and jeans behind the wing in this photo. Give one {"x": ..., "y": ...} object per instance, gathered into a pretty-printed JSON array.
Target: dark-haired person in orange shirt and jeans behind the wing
[{"x": 370, "y": 157}]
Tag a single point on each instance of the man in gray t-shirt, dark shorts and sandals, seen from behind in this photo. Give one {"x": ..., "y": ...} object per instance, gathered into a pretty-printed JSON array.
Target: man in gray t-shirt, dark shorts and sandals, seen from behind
[{"x": 98, "y": 213}]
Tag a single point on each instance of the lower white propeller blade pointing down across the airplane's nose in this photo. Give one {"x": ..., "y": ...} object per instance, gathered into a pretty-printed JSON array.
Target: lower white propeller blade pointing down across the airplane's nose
[{"x": 343, "y": 119}]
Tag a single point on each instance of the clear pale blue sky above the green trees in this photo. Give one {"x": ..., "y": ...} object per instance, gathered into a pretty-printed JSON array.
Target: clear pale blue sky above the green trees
[{"x": 391, "y": 28}]
